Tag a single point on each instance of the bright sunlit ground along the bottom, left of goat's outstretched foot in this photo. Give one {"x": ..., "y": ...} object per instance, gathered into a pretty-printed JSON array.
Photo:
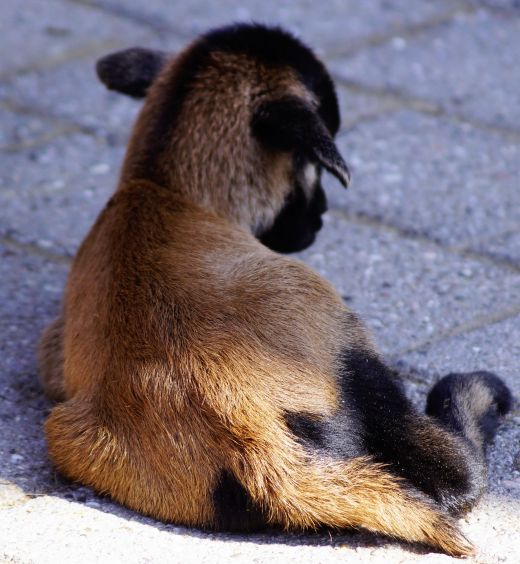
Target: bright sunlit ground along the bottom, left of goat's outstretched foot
[{"x": 93, "y": 533}]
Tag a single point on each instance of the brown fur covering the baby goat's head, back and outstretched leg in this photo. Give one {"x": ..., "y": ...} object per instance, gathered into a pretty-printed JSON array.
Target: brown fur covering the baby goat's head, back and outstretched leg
[{"x": 184, "y": 340}]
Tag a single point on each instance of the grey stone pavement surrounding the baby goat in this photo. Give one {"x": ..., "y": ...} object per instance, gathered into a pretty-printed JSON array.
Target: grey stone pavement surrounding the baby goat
[{"x": 425, "y": 245}]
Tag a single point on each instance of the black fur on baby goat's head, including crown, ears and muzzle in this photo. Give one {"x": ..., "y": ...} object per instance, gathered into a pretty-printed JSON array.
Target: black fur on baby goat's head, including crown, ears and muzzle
[{"x": 287, "y": 124}]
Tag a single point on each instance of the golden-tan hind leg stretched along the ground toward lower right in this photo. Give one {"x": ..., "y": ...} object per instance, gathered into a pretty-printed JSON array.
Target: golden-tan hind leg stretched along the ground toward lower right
[{"x": 298, "y": 490}]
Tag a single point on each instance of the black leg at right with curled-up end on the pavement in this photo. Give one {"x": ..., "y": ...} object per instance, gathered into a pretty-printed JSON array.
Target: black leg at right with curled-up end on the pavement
[{"x": 443, "y": 459}]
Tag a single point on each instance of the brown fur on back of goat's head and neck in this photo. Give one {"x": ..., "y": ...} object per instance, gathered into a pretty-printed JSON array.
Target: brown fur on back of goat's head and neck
[{"x": 213, "y": 159}]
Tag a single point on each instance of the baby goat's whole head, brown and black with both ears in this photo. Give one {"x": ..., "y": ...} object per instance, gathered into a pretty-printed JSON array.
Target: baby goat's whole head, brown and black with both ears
[{"x": 241, "y": 122}]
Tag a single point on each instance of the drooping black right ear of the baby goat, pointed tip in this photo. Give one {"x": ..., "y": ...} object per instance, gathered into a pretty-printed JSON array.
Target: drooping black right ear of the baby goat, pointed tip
[{"x": 289, "y": 124}]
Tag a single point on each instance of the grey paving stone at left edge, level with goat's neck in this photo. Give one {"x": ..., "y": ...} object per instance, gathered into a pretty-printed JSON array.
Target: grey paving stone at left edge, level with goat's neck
[{"x": 51, "y": 194}]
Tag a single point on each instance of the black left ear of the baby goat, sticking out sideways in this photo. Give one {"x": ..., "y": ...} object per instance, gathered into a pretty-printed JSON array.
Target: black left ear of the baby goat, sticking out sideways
[{"x": 131, "y": 71}]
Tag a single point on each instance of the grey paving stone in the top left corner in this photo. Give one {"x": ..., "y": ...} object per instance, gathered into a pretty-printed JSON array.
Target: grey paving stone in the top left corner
[{"x": 50, "y": 29}]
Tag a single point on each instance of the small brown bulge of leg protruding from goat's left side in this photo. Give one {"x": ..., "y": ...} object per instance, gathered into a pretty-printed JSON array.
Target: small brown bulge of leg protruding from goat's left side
[{"x": 50, "y": 360}]
